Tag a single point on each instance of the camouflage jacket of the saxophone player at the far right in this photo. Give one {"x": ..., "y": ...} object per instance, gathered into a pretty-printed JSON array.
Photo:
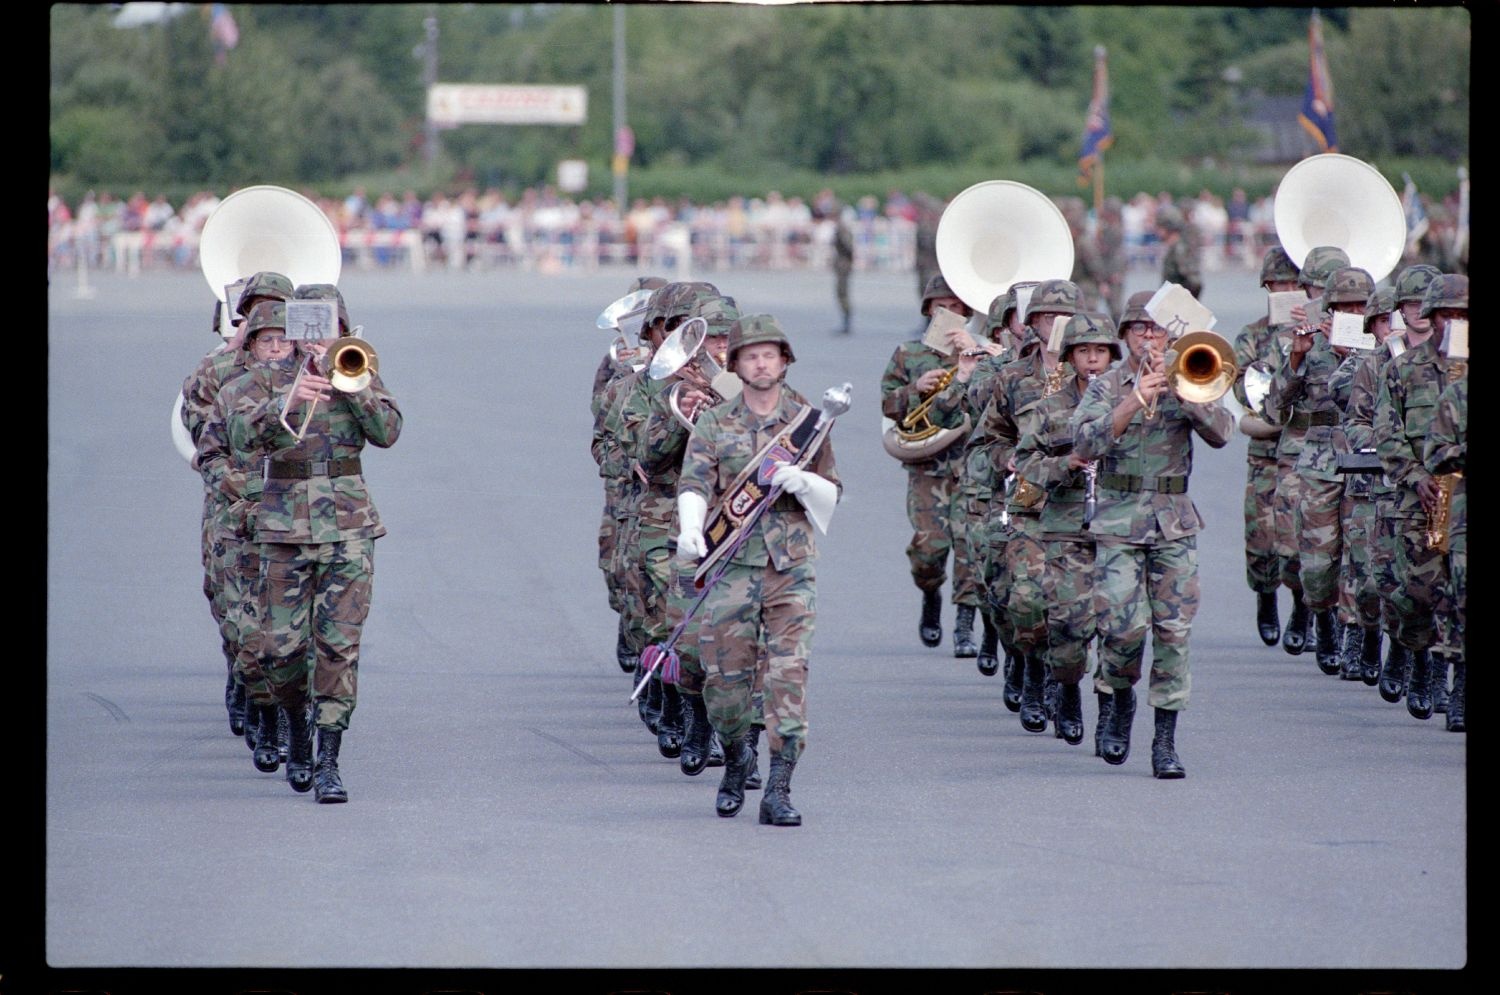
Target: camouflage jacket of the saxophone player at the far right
[{"x": 1403, "y": 416}]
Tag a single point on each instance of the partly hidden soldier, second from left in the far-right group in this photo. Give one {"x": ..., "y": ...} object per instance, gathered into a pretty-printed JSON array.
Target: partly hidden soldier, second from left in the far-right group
[{"x": 1288, "y": 508}]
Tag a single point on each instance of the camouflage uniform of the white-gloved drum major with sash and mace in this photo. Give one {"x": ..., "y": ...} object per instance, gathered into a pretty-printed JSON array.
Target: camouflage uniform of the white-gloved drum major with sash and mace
[{"x": 769, "y": 592}]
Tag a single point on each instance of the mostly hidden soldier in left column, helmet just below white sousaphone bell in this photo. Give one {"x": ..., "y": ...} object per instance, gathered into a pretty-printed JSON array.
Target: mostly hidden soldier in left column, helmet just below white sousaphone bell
[{"x": 223, "y": 364}]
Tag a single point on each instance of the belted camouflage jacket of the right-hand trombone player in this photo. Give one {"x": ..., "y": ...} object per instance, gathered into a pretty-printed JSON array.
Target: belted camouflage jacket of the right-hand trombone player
[{"x": 1147, "y": 449}]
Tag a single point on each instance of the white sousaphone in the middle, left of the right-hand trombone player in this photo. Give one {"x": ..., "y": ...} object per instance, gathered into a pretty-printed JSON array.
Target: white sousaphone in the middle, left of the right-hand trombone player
[{"x": 991, "y": 236}]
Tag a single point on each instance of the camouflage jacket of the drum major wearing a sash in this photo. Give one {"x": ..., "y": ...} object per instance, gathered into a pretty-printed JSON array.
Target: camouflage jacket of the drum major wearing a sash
[{"x": 725, "y": 440}]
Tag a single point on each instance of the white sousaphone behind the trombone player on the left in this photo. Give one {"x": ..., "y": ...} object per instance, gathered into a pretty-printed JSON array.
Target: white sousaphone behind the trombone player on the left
[{"x": 262, "y": 229}]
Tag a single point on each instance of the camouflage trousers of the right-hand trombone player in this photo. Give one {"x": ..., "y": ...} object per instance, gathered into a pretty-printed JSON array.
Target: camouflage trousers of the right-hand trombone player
[{"x": 1139, "y": 591}]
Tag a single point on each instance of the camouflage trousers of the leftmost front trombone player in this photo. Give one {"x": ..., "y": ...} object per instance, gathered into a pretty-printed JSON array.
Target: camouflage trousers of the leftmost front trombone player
[{"x": 314, "y": 600}]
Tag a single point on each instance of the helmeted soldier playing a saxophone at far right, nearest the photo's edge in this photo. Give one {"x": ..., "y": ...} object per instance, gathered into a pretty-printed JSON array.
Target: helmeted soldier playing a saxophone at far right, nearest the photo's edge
[{"x": 1424, "y": 598}]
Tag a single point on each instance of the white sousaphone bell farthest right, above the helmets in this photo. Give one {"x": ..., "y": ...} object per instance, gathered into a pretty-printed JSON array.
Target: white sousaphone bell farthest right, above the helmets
[{"x": 1339, "y": 200}]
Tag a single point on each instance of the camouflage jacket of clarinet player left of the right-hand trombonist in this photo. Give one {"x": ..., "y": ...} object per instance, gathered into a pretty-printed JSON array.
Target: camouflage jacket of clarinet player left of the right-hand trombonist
[{"x": 1042, "y": 458}]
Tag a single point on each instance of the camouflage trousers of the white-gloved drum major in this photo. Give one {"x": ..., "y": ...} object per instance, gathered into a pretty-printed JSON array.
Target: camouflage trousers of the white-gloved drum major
[{"x": 748, "y": 609}]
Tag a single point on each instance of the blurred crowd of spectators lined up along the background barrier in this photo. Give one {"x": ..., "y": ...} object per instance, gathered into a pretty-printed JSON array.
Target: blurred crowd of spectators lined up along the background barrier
[{"x": 550, "y": 232}]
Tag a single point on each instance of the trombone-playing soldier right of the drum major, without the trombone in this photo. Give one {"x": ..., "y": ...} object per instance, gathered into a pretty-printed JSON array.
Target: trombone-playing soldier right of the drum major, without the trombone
[{"x": 1145, "y": 528}]
